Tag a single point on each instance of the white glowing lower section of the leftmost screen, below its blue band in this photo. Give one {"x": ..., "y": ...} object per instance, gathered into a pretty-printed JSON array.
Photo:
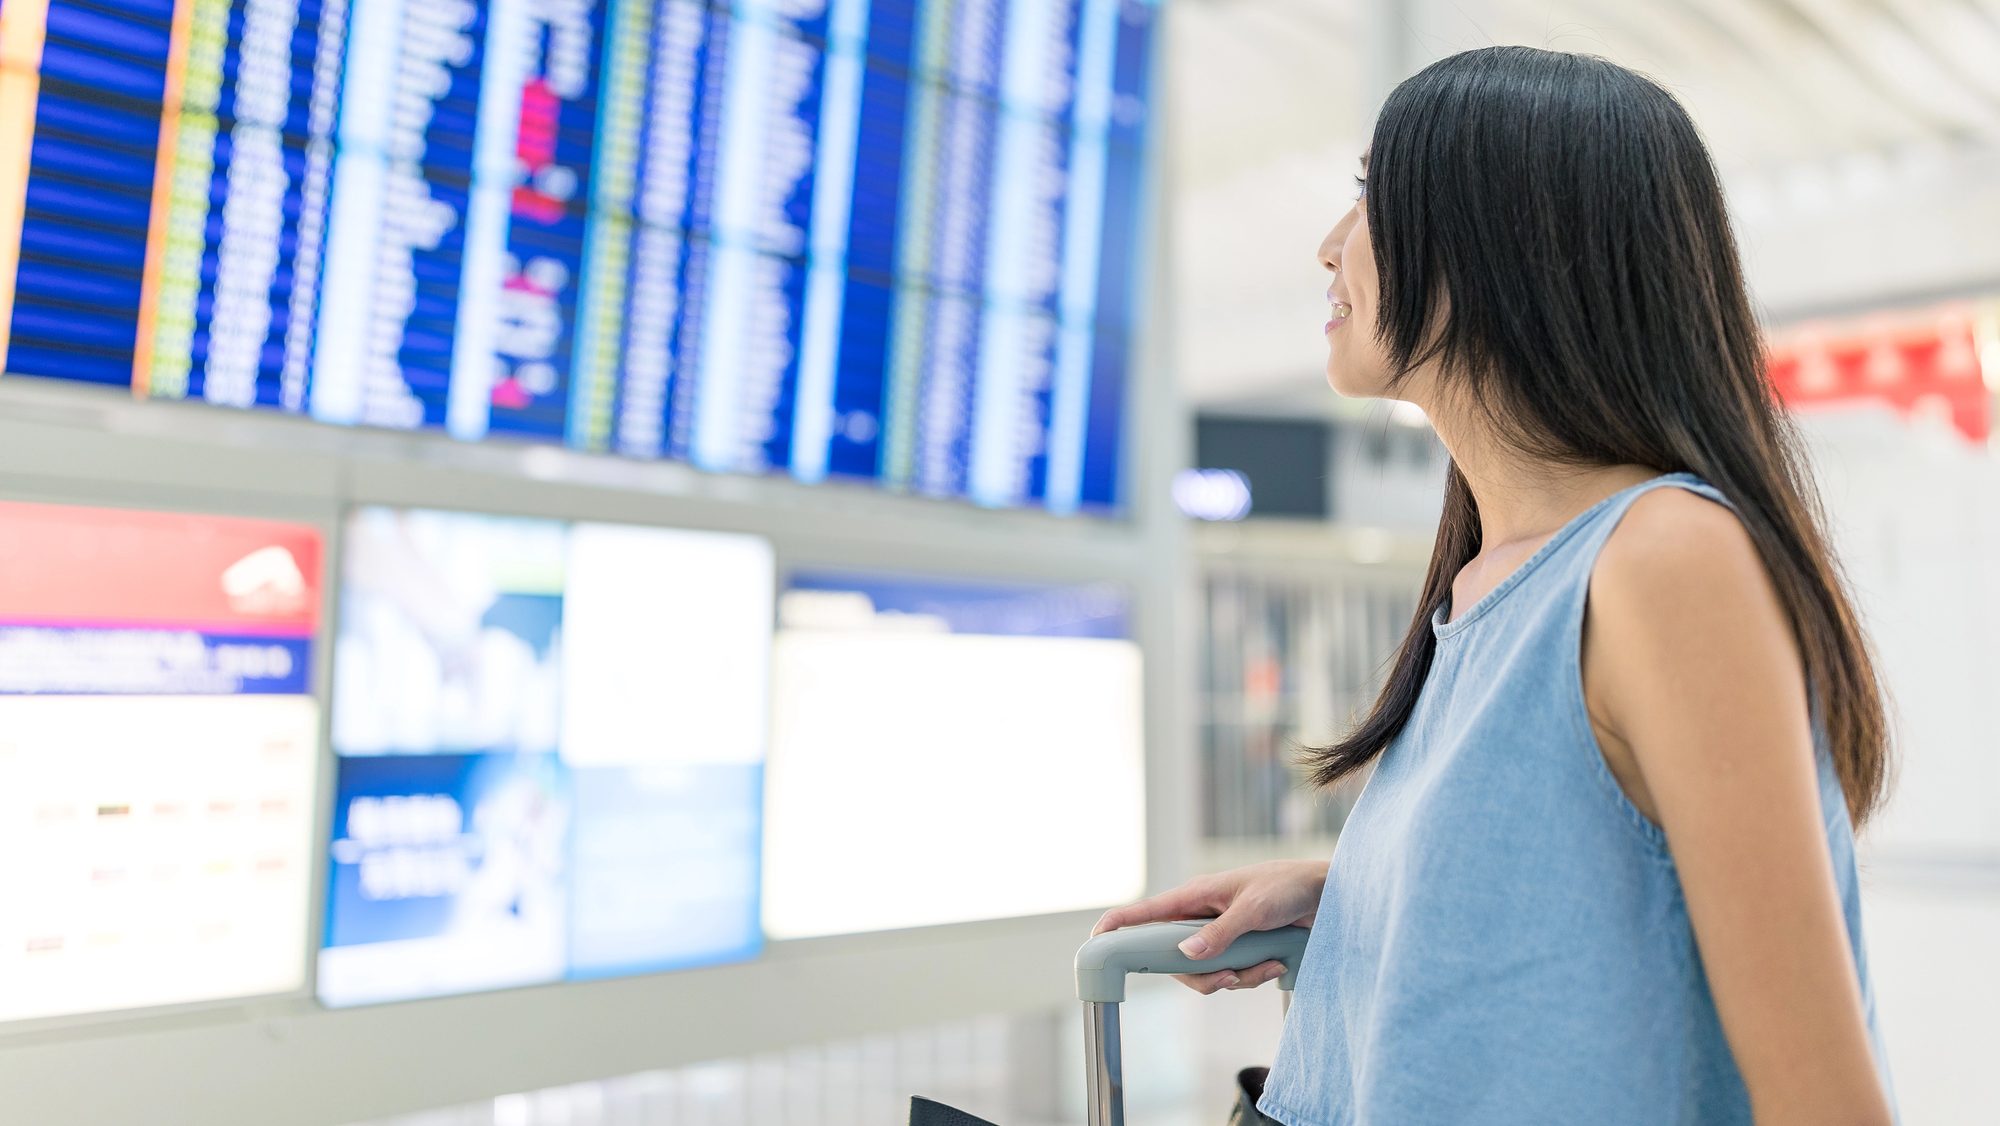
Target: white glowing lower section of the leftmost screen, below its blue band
[{"x": 155, "y": 851}]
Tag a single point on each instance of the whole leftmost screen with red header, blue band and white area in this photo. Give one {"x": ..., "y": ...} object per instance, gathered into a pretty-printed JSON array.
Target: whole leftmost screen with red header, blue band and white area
[{"x": 157, "y": 757}]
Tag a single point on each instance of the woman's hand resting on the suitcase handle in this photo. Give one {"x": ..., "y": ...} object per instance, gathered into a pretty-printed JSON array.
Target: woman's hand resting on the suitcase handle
[{"x": 1261, "y": 897}]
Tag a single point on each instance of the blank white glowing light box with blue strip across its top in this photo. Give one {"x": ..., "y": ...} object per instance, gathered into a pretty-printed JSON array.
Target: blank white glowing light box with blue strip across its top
[{"x": 949, "y": 753}]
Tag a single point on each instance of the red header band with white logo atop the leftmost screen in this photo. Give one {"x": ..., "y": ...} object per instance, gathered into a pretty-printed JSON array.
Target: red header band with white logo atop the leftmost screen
[{"x": 113, "y": 567}]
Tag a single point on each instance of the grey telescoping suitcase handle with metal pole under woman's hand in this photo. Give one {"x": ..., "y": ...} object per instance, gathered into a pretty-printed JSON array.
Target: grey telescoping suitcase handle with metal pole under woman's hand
[{"x": 1155, "y": 949}]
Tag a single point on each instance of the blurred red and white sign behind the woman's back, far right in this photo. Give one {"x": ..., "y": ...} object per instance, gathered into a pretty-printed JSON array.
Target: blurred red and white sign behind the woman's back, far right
[{"x": 1915, "y": 363}]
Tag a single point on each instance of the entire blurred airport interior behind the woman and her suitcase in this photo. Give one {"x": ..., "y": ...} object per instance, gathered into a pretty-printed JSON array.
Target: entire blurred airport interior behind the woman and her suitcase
[{"x": 659, "y": 563}]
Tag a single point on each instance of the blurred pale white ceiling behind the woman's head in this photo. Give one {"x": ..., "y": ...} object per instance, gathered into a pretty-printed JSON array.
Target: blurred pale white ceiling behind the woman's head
[{"x": 1859, "y": 143}]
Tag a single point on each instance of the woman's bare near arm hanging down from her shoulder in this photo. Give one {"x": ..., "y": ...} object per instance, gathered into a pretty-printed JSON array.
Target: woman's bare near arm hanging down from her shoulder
[{"x": 1697, "y": 689}]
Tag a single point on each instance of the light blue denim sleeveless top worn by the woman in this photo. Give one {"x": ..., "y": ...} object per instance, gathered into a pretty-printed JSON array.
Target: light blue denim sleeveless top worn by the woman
[{"x": 1503, "y": 937}]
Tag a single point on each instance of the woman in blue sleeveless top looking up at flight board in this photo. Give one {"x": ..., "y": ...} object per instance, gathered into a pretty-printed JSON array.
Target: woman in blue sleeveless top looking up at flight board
[{"x": 1603, "y": 871}]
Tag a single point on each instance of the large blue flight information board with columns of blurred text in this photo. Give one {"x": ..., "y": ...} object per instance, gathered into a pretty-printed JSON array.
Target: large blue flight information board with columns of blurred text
[{"x": 891, "y": 241}]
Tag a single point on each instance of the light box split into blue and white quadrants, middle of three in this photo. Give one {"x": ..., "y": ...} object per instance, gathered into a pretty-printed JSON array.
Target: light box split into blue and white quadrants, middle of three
[{"x": 551, "y": 747}]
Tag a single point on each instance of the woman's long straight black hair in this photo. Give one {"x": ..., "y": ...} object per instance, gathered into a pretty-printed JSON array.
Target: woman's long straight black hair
[{"x": 1551, "y": 231}]
